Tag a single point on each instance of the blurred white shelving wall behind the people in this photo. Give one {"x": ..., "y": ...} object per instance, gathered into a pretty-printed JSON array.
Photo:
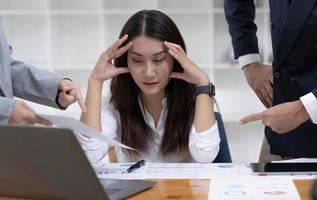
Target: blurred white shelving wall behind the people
[{"x": 67, "y": 37}]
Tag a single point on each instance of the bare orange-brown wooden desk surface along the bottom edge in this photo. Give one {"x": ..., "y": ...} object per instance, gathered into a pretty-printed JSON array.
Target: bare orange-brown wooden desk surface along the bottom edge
[{"x": 195, "y": 189}]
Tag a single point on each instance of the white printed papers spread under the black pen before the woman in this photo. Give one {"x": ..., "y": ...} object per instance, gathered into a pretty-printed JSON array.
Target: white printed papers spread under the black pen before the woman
[{"x": 170, "y": 170}]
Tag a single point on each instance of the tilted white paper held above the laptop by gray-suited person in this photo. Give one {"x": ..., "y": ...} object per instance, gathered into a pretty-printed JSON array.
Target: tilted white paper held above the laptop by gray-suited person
[{"x": 80, "y": 128}]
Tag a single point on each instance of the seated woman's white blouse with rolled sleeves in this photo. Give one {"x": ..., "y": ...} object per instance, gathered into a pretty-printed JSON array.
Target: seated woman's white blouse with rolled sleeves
[{"x": 203, "y": 147}]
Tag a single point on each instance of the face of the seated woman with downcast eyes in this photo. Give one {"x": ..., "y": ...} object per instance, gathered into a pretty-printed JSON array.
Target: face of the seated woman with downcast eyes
[{"x": 150, "y": 65}]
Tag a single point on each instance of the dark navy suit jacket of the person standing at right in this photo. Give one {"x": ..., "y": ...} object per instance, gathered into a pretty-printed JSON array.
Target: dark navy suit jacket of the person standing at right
[{"x": 294, "y": 41}]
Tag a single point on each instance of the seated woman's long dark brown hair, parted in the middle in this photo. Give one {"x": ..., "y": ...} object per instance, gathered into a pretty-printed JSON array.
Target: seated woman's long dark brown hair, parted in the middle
[{"x": 180, "y": 97}]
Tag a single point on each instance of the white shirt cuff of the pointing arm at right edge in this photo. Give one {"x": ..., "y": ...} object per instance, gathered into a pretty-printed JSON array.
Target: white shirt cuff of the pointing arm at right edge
[{"x": 310, "y": 103}]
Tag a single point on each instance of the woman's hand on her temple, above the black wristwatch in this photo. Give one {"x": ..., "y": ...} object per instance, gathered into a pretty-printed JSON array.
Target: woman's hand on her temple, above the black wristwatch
[{"x": 192, "y": 73}]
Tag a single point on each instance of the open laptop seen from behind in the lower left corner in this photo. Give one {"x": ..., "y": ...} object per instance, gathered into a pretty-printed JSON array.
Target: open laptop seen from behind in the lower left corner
[{"x": 48, "y": 163}]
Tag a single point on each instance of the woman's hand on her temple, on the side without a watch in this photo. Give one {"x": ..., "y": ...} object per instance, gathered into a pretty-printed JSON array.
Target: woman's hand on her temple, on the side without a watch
[{"x": 104, "y": 68}]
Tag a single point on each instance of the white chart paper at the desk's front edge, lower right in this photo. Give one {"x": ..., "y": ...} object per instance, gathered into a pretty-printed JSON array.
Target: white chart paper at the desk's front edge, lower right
[{"x": 248, "y": 187}]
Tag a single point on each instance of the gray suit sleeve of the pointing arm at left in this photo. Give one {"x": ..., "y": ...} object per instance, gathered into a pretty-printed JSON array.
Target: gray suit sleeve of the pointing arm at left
[{"x": 33, "y": 84}]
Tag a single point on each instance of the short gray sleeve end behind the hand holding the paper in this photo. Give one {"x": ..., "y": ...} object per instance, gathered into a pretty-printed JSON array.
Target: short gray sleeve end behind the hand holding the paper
[{"x": 6, "y": 107}]
